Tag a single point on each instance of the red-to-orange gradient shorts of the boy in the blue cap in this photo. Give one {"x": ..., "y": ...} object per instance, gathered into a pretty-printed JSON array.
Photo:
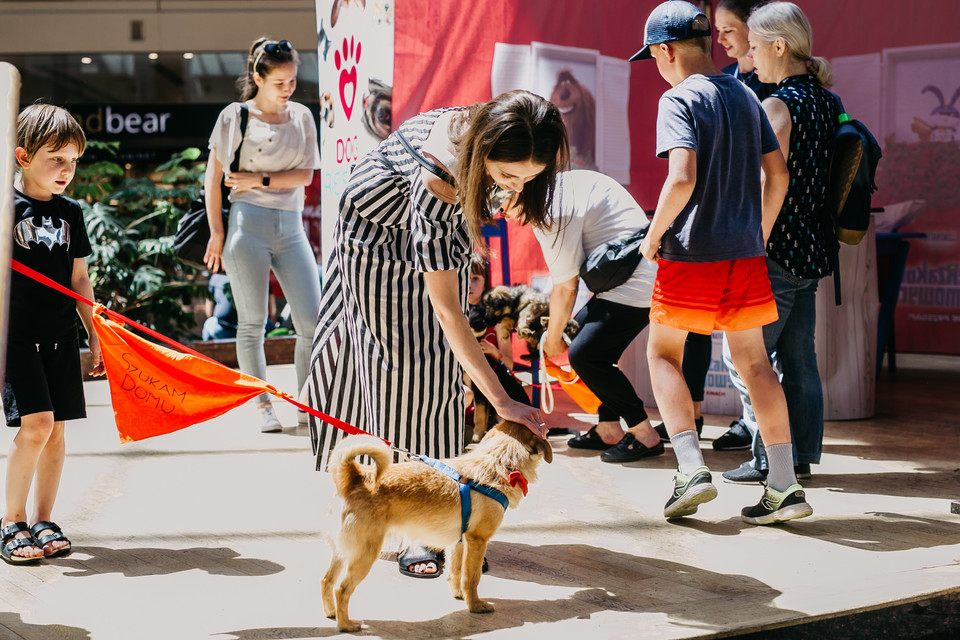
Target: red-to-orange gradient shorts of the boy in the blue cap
[{"x": 732, "y": 295}]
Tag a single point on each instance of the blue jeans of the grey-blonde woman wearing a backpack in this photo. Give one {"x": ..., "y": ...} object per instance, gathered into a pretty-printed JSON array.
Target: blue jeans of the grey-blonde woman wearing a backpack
[{"x": 790, "y": 345}]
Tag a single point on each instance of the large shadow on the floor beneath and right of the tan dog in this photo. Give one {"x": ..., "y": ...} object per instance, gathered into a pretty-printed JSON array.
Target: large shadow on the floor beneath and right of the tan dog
[{"x": 604, "y": 580}]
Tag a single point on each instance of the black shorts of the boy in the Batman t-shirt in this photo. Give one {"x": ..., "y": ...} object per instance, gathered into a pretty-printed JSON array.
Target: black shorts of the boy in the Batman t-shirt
[{"x": 44, "y": 377}]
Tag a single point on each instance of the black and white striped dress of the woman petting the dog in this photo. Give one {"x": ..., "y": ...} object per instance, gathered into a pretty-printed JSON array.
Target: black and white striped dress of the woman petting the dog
[{"x": 380, "y": 360}]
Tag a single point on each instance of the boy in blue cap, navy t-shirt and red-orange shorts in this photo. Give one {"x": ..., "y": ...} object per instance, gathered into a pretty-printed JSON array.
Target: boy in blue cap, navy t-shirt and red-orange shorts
[{"x": 708, "y": 237}]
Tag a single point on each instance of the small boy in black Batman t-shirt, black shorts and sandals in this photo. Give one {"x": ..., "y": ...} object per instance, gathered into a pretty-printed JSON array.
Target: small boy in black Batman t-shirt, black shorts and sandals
[{"x": 43, "y": 385}]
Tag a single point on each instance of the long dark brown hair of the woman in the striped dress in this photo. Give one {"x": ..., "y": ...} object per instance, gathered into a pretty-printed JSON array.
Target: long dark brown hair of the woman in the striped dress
[{"x": 516, "y": 126}]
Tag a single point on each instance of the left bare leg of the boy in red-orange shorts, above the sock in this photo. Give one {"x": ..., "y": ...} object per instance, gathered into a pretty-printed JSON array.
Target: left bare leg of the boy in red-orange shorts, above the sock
[{"x": 664, "y": 356}]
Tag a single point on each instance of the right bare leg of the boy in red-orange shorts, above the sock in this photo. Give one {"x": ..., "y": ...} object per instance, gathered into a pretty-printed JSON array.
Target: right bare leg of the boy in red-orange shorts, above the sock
[{"x": 766, "y": 395}]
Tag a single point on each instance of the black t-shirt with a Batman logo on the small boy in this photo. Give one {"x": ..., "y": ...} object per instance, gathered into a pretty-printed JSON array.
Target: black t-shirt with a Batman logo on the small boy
[{"x": 48, "y": 235}]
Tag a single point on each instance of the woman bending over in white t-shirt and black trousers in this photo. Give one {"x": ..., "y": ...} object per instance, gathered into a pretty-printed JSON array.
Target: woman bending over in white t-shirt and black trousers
[{"x": 590, "y": 210}]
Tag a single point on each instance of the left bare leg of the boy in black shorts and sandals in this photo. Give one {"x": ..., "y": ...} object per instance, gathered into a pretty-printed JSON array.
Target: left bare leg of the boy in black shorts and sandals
[{"x": 32, "y": 437}]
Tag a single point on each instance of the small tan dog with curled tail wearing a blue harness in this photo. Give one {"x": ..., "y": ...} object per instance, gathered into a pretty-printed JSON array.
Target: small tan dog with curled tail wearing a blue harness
[{"x": 423, "y": 504}]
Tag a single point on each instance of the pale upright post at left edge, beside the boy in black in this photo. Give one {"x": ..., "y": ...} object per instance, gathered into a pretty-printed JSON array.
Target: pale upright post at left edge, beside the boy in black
[{"x": 10, "y": 88}]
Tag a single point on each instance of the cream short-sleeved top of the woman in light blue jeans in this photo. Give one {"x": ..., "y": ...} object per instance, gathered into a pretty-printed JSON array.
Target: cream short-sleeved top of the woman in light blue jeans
[{"x": 268, "y": 147}]
